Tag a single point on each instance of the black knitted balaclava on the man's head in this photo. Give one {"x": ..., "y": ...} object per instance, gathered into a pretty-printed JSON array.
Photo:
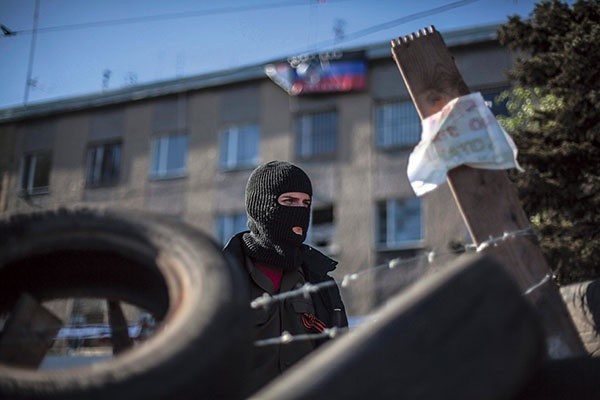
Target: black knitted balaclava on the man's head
[{"x": 271, "y": 239}]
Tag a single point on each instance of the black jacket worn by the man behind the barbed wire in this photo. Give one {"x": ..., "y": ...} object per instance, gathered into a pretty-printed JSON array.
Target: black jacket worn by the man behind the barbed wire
[{"x": 269, "y": 322}]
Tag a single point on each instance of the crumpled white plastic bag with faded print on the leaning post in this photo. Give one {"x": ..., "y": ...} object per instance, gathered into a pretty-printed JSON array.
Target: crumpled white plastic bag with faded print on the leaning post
[{"x": 464, "y": 132}]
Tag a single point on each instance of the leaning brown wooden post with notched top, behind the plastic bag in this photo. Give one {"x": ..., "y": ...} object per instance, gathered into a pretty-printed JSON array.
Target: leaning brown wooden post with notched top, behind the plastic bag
[{"x": 486, "y": 199}]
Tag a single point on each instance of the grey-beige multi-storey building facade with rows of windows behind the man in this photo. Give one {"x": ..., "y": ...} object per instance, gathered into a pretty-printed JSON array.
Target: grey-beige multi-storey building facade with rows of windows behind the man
[{"x": 186, "y": 148}]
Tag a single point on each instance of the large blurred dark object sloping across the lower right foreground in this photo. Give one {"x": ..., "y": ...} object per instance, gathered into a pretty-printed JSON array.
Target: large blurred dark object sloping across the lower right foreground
[{"x": 463, "y": 333}]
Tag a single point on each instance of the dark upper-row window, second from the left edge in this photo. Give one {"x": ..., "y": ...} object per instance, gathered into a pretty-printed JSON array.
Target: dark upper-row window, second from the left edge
[{"x": 103, "y": 164}]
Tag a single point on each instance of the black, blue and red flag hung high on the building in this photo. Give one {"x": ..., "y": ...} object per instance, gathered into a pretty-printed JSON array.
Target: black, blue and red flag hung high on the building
[{"x": 320, "y": 73}]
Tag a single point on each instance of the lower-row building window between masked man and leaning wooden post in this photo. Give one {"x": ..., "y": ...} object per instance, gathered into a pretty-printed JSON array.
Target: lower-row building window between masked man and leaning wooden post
[{"x": 399, "y": 223}]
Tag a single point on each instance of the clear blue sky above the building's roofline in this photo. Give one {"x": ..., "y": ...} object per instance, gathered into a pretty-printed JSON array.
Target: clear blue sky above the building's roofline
[{"x": 143, "y": 41}]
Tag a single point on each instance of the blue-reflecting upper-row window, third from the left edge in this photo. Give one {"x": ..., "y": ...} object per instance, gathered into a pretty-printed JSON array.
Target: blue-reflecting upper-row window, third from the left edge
[{"x": 169, "y": 155}]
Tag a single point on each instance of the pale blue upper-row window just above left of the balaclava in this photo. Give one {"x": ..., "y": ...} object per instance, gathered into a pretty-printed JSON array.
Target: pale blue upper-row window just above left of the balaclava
[{"x": 239, "y": 147}]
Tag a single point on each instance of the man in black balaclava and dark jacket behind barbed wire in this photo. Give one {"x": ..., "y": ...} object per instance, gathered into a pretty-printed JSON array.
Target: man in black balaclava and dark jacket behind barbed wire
[{"x": 278, "y": 200}]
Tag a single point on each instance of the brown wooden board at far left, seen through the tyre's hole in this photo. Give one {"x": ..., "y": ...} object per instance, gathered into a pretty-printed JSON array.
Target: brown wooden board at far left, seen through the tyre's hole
[{"x": 28, "y": 333}]
